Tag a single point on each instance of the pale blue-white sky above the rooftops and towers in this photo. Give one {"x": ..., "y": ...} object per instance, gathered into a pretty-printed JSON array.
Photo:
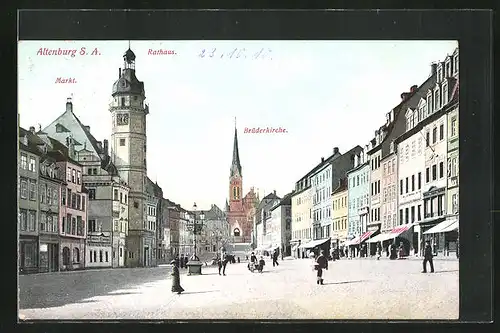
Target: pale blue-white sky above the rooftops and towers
[{"x": 325, "y": 94}]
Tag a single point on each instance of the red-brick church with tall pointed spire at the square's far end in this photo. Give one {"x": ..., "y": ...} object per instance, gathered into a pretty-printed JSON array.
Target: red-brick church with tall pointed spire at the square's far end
[{"x": 240, "y": 209}]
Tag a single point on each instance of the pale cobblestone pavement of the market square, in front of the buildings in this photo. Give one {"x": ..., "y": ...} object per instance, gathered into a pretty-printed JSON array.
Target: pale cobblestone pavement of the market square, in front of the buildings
[{"x": 354, "y": 289}]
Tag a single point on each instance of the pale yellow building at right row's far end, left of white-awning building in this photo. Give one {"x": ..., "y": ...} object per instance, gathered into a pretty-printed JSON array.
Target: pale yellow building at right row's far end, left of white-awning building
[{"x": 301, "y": 217}]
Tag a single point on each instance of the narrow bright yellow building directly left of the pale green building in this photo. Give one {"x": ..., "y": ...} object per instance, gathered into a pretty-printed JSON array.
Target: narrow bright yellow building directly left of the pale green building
[{"x": 339, "y": 214}]
